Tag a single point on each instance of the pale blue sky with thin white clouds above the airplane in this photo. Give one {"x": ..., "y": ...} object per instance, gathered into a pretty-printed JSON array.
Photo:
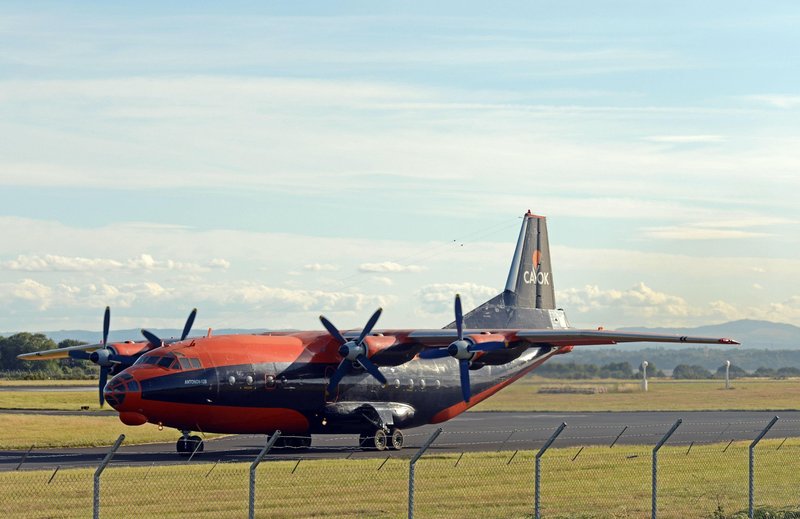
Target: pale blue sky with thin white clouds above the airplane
[{"x": 268, "y": 162}]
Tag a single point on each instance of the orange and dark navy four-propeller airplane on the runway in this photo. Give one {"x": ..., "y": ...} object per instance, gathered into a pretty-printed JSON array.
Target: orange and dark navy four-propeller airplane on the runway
[{"x": 367, "y": 382}]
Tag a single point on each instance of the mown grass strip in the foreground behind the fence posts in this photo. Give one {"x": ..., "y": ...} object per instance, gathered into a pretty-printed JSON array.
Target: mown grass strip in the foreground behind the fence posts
[{"x": 599, "y": 483}]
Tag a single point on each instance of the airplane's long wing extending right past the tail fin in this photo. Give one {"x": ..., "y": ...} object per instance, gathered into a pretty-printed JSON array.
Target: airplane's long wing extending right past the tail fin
[{"x": 565, "y": 337}]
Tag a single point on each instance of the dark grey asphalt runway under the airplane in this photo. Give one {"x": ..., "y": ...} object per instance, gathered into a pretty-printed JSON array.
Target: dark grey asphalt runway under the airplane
[{"x": 470, "y": 432}]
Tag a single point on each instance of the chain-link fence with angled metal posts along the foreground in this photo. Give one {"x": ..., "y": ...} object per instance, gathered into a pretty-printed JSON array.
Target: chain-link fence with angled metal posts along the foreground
[{"x": 702, "y": 470}]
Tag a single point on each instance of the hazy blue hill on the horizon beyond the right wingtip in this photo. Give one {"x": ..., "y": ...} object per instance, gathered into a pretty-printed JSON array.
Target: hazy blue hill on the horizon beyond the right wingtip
[{"x": 751, "y": 333}]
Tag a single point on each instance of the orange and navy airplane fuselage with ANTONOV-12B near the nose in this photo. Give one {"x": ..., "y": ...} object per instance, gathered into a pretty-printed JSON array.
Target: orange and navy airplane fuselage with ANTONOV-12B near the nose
[{"x": 264, "y": 383}]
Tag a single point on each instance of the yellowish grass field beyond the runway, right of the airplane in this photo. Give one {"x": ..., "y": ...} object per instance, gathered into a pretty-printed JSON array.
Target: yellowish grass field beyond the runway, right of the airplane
[{"x": 663, "y": 395}]
